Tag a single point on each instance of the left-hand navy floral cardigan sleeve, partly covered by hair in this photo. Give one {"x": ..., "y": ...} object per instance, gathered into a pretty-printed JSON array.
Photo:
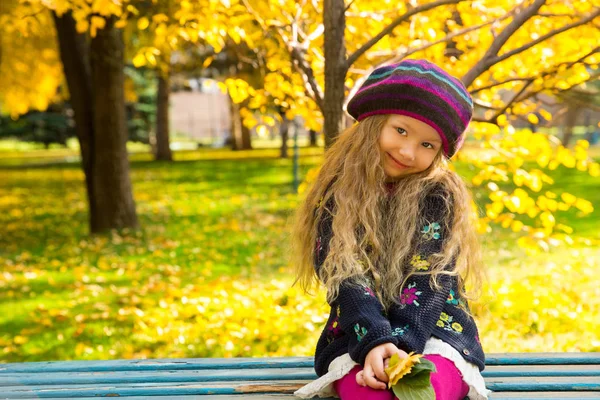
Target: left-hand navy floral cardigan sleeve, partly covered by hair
[{"x": 361, "y": 316}]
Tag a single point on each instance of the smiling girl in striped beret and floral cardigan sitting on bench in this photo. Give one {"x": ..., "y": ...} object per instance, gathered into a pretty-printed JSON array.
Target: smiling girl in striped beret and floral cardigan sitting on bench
[{"x": 387, "y": 229}]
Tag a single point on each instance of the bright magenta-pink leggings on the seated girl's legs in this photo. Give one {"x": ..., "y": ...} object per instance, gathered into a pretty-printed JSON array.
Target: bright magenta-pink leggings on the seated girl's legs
[{"x": 447, "y": 383}]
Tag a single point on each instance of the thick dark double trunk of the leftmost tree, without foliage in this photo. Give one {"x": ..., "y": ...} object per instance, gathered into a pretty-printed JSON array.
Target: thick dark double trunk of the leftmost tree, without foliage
[{"x": 95, "y": 78}]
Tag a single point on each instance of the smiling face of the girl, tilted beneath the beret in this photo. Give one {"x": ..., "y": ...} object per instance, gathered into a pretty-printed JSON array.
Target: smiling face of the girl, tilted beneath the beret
[{"x": 407, "y": 145}]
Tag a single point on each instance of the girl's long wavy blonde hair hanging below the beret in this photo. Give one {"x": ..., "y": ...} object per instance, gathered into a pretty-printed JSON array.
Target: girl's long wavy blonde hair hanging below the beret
[{"x": 372, "y": 231}]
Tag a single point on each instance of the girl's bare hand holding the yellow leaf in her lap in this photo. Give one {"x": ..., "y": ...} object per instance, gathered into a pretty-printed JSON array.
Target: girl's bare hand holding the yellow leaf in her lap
[{"x": 373, "y": 373}]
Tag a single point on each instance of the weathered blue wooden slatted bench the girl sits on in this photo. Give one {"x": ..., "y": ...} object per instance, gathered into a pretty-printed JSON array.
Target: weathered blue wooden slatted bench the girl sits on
[{"x": 510, "y": 376}]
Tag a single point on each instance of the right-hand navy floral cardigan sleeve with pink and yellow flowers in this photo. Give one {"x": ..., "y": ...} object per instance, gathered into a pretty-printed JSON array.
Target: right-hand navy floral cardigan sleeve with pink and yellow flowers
[{"x": 420, "y": 306}]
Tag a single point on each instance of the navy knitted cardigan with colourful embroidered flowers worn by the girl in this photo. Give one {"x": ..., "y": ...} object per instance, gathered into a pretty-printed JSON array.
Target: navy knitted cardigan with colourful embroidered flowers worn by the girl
[{"x": 358, "y": 322}]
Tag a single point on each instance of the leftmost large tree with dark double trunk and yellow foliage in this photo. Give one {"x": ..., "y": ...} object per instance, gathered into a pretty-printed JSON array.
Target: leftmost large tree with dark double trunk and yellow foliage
[{"x": 91, "y": 52}]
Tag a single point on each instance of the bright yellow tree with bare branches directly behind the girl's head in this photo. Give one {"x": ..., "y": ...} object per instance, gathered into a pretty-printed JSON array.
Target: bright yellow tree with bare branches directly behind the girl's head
[{"x": 505, "y": 53}]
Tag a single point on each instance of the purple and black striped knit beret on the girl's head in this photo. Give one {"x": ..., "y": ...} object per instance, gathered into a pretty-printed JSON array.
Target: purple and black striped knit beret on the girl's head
[{"x": 421, "y": 90}]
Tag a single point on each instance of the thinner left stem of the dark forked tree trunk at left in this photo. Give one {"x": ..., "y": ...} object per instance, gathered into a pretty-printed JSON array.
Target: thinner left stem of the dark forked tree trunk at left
[{"x": 74, "y": 54}]
